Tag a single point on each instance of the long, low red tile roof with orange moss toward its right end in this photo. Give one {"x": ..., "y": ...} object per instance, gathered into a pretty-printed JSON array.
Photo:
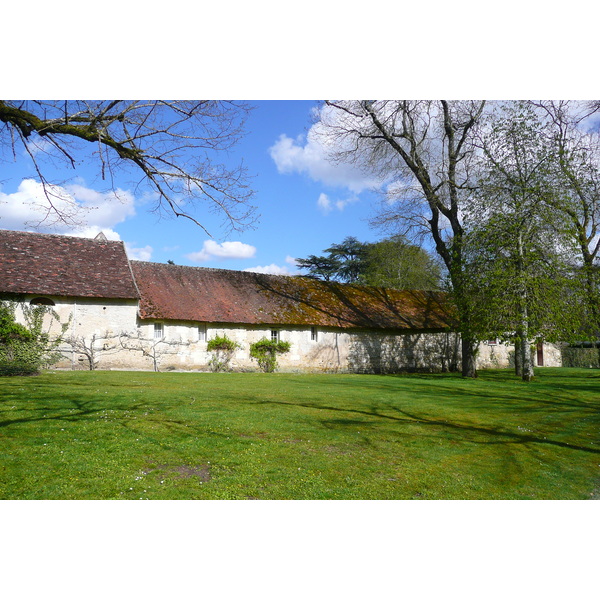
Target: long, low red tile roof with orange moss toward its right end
[{"x": 174, "y": 292}]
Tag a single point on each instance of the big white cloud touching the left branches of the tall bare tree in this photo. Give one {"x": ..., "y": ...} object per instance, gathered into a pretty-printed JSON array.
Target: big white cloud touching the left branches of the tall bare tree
[{"x": 309, "y": 156}]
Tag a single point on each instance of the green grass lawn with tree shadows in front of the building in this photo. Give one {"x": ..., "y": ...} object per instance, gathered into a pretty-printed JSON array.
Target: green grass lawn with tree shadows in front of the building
[{"x": 132, "y": 435}]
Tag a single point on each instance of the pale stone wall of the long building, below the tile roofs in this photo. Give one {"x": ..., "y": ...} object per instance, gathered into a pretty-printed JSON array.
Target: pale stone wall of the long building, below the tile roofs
[{"x": 124, "y": 342}]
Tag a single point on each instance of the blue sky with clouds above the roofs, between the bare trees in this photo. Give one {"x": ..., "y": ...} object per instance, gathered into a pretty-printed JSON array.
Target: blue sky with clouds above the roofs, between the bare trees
[{"x": 306, "y": 204}]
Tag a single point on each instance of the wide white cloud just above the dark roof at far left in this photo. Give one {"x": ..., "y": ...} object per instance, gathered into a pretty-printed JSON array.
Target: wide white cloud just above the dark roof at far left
[{"x": 71, "y": 209}]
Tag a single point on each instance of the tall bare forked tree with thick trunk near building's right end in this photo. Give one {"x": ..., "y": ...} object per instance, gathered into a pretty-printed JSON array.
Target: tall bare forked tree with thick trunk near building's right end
[{"x": 423, "y": 151}]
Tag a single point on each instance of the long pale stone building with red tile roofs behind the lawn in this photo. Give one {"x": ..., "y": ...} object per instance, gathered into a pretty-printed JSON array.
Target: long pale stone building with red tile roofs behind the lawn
[{"x": 126, "y": 314}]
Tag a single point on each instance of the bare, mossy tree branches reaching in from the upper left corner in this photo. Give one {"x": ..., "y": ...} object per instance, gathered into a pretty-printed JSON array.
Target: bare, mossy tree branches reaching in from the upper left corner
[{"x": 173, "y": 146}]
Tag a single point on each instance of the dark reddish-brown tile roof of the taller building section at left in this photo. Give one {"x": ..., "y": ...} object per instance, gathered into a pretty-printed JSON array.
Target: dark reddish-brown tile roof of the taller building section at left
[{"x": 56, "y": 265}]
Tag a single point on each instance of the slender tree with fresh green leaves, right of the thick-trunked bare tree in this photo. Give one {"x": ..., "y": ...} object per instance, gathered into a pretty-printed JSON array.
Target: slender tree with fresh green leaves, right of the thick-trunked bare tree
[{"x": 519, "y": 282}]
